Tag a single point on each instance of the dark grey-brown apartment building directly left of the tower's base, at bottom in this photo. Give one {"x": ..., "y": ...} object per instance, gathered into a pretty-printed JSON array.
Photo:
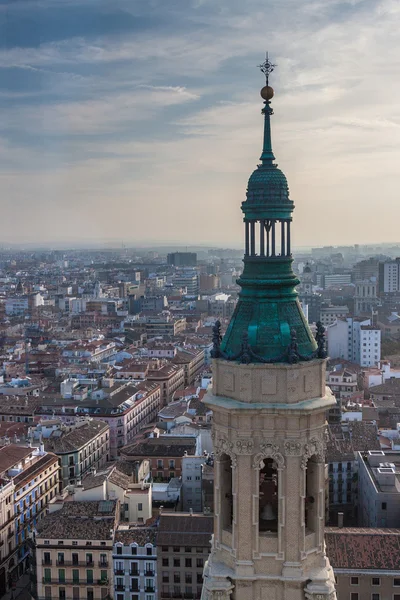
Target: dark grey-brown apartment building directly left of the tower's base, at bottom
[{"x": 184, "y": 544}]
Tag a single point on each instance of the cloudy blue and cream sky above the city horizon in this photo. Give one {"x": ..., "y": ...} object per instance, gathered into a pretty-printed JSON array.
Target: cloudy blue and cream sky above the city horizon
[{"x": 138, "y": 121}]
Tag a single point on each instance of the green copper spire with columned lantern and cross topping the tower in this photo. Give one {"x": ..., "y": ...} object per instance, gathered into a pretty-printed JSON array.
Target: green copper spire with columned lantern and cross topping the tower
[{"x": 268, "y": 324}]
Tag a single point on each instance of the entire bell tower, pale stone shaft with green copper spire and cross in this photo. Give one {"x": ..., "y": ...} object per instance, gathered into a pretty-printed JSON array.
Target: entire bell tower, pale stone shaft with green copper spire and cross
[{"x": 269, "y": 403}]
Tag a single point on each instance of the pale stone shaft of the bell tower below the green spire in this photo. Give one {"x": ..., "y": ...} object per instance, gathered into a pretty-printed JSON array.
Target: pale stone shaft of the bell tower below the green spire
[{"x": 274, "y": 415}]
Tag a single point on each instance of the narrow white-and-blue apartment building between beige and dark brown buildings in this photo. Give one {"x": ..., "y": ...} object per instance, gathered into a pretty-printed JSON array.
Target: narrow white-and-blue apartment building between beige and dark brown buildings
[{"x": 135, "y": 563}]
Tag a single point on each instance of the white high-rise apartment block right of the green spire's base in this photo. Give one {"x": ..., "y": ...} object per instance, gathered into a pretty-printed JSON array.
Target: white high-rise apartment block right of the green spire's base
[{"x": 355, "y": 340}]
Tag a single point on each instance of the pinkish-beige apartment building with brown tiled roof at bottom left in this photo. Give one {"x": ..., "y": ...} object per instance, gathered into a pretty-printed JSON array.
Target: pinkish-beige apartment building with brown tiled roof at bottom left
[{"x": 74, "y": 547}]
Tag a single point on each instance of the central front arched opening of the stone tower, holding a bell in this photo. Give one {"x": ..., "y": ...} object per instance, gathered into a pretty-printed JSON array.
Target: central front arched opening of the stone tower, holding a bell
[{"x": 268, "y": 496}]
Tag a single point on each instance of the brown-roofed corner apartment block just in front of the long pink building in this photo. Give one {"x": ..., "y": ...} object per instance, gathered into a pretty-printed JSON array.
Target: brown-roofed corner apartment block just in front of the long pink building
[{"x": 81, "y": 447}]
